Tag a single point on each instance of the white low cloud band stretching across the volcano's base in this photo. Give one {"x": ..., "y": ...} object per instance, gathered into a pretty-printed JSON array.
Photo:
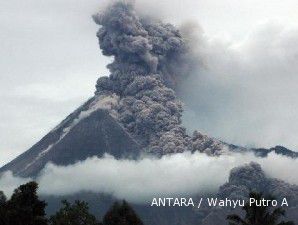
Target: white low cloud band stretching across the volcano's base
[{"x": 138, "y": 181}]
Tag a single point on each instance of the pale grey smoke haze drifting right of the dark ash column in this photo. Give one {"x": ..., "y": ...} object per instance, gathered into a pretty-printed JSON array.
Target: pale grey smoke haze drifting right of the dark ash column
[{"x": 245, "y": 93}]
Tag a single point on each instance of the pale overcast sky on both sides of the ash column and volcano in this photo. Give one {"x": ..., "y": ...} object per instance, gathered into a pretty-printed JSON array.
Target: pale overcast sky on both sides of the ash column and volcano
[{"x": 50, "y": 61}]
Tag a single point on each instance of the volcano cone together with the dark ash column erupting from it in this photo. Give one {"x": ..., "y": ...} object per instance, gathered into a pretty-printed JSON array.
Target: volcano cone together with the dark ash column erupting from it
[{"x": 135, "y": 109}]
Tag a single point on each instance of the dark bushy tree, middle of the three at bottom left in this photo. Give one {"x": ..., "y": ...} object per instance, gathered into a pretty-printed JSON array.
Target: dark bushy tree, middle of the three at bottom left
[{"x": 74, "y": 214}]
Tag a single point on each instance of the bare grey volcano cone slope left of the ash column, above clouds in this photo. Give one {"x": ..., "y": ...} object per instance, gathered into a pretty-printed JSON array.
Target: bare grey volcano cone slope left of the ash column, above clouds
[{"x": 89, "y": 131}]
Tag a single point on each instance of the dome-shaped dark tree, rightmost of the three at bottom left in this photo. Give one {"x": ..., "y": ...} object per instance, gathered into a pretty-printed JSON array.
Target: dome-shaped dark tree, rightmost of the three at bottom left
[{"x": 121, "y": 214}]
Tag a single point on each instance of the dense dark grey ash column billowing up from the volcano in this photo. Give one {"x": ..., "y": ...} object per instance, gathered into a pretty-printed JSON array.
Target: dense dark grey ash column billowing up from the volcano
[{"x": 149, "y": 60}]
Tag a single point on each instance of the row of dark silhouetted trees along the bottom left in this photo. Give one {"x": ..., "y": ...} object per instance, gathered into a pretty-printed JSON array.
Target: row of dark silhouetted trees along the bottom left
[{"x": 25, "y": 208}]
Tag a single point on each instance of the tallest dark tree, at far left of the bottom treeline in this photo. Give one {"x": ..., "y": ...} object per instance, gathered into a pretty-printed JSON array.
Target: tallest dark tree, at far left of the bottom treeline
[{"x": 24, "y": 207}]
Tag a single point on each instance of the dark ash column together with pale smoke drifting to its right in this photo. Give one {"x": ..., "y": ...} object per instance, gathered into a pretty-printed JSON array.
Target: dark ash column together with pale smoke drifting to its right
[{"x": 227, "y": 92}]
